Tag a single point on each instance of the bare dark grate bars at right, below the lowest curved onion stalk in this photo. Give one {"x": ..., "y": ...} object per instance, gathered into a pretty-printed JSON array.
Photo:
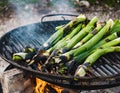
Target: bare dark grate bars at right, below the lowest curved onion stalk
[{"x": 108, "y": 65}]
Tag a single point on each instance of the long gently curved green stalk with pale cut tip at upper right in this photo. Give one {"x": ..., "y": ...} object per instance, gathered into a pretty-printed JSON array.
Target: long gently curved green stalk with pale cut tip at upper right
[{"x": 67, "y": 56}]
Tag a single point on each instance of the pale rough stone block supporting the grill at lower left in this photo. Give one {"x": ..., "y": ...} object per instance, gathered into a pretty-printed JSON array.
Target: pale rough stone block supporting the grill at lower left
[{"x": 14, "y": 81}]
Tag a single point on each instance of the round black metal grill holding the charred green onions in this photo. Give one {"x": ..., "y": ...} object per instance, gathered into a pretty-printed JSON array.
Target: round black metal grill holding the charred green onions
[{"x": 103, "y": 74}]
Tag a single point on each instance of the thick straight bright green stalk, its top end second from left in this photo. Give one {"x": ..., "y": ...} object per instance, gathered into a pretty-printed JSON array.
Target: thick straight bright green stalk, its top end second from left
[{"x": 72, "y": 42}]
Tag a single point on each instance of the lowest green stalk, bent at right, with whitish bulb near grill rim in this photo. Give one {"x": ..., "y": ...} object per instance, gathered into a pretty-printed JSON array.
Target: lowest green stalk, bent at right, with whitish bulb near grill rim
[{"x": 83, "y": 68}]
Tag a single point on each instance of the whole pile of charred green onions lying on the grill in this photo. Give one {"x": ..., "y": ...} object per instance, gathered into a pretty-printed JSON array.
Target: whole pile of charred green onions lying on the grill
[{"x": 80, "y": 41}]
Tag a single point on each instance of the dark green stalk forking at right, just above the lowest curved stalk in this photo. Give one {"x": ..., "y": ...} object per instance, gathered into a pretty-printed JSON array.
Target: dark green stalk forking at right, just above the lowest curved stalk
[{"x": 106, "y": 42}]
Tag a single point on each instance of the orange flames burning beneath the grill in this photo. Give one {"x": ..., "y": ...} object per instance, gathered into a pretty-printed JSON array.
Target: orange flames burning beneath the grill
[{"x": 45, "y": 87}]
